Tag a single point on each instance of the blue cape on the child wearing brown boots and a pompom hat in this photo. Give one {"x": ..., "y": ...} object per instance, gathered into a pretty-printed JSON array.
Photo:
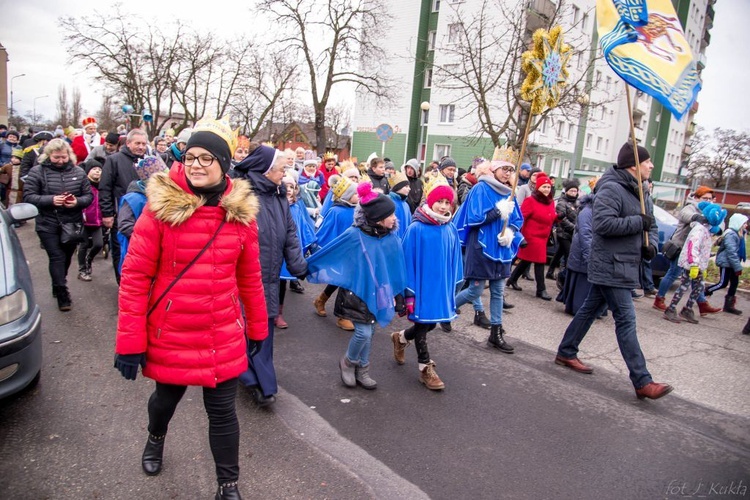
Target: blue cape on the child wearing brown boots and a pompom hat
[{"x": 434, "y": 268}]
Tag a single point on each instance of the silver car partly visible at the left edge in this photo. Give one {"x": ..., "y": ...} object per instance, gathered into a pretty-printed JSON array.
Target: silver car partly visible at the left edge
[{"x": 20, "y": 317}]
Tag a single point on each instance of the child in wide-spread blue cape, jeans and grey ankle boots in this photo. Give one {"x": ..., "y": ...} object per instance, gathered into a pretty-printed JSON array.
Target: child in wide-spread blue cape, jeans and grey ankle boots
[{"x": 367, "y": 262}]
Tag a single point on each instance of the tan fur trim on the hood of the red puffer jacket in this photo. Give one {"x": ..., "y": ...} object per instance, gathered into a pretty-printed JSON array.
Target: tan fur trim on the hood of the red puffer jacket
[{"x": 171, "y": 200}]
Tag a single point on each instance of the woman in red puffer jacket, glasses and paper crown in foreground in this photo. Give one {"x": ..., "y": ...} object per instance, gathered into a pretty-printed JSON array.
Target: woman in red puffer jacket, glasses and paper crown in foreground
[{"x": 192, "y": 258}]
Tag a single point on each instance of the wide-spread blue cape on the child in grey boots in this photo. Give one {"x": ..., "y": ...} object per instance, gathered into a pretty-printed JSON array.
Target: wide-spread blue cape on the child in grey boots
[{"x": 372, "y": 268}]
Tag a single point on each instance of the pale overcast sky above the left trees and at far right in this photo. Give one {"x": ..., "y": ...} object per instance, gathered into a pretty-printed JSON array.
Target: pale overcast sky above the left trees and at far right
[{"x": 33, "y": 40}]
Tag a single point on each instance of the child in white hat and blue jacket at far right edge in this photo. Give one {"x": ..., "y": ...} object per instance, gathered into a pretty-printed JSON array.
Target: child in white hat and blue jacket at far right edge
[{"x": 732, "y": 253}]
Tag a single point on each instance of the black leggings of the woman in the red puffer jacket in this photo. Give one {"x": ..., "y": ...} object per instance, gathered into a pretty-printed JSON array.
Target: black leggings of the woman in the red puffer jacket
[{"x": 223, "y": 426}]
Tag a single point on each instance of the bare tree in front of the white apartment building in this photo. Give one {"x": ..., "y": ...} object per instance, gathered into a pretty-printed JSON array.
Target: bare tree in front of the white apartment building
[{"x": 483, "y": 66}]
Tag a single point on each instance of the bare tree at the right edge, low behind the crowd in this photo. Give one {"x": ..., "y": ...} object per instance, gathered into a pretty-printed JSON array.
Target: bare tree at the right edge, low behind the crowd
[{"x": 720, "y": 157}]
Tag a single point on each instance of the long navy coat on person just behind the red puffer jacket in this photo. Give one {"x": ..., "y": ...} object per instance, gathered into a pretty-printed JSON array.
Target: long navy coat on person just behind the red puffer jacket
[{"x": 277, "y": 236}]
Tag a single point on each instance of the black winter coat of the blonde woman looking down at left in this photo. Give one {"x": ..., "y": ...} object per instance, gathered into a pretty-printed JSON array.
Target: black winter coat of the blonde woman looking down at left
[{"x": 44, "y": 182}]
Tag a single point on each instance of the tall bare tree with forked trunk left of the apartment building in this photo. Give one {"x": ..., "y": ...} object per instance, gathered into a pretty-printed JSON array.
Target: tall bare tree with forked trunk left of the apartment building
[{"x": 338, "y": 42}]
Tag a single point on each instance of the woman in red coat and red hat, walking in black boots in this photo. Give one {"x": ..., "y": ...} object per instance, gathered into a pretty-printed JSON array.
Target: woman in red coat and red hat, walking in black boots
[{"x": 538, "y": 217}]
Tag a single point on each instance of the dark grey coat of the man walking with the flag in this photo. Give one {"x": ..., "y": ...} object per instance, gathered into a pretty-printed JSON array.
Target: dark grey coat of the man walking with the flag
[{"x": 617, "y": 227}]
